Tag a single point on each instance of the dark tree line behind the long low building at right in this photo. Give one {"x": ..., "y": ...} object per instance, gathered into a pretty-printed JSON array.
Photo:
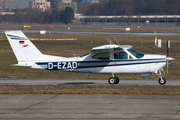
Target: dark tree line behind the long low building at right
[{"x": 132, "y": 7}]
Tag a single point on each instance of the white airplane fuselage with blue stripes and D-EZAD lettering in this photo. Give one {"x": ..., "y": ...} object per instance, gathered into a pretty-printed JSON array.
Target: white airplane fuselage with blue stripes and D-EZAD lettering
[{"x": 147, "y": 64}]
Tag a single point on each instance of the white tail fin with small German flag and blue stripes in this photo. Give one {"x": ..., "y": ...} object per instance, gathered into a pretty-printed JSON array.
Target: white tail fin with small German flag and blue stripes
[{"x": 23, "y": 48}]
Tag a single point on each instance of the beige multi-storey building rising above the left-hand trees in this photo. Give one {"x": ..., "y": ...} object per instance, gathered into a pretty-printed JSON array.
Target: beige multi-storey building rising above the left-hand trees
[{"x": 42, "y": 4}]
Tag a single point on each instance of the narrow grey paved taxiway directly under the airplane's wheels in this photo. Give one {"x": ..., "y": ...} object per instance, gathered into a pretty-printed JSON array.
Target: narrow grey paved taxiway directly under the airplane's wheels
[{"x": 11, "y": 81}]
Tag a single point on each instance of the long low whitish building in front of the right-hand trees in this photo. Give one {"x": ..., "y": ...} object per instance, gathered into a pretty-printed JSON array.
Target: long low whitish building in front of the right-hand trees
[{"x": 130, "y": 20}]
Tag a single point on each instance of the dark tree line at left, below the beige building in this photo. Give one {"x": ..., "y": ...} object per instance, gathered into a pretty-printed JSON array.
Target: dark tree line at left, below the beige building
[{"x": 35, "y": 15}]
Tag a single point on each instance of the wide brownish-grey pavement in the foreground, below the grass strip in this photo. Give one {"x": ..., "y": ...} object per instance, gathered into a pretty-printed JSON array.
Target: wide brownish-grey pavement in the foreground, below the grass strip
[{"x": 89, "y": 107}]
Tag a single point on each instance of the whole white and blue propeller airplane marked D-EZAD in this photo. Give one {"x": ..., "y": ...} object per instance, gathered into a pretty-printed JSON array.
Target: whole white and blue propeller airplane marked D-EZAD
[{"x": 106, "y": 59}]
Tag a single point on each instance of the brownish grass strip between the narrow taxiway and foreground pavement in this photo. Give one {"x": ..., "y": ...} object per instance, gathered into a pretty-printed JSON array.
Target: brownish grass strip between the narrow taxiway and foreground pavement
[{"x": 91, "y": 89}]
